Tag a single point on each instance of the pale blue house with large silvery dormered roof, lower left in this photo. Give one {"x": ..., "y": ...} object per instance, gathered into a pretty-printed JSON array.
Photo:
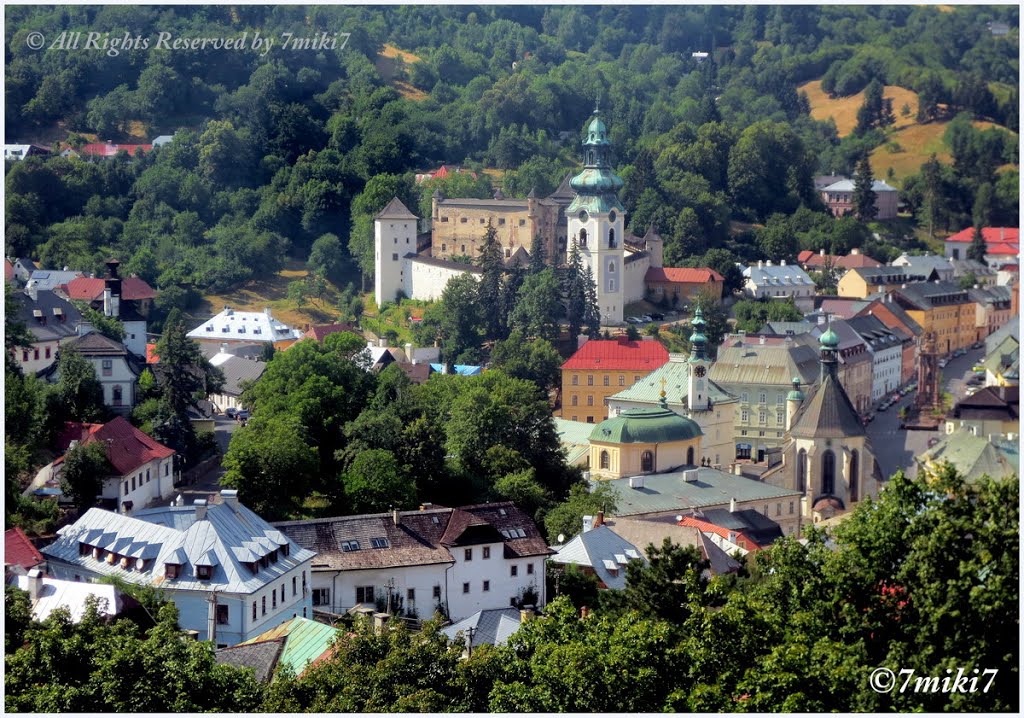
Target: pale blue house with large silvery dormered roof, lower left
[{"x": 231, "y": 574}]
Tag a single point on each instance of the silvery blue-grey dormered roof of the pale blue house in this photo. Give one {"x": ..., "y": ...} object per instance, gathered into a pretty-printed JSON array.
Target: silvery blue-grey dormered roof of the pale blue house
[{"x": 226, "y": 539}]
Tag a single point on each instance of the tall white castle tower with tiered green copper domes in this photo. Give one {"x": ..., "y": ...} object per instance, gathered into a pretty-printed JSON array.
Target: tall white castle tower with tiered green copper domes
[{"x": 598, "y": 222}]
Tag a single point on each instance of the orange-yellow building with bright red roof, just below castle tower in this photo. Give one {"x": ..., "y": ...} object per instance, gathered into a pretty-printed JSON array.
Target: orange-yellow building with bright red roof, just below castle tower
[{"x": 603, "y": 368}]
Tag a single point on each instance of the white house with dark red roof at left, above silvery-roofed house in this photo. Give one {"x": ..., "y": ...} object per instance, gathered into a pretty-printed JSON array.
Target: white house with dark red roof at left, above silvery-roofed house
[{"x": 144, "y": 469}]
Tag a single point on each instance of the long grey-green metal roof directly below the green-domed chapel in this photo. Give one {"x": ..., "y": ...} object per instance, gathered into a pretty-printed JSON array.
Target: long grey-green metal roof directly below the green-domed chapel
[{"x": 666, "y": 493}]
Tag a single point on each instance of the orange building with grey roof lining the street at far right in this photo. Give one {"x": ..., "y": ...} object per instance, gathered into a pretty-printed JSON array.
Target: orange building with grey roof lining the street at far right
[{"x": 942, "y": 308}]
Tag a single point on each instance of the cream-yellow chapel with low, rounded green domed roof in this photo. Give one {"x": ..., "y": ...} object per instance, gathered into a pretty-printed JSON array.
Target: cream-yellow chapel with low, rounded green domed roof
[{"x": 644, "y": 441}]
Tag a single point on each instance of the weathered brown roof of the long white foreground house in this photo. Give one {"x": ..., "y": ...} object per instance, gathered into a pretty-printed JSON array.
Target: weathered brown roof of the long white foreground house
[{"x": 420, "y": 538}]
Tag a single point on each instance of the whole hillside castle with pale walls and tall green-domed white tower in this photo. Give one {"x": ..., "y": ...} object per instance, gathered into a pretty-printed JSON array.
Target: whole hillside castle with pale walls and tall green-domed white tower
[{"x": 585, "y": 212}]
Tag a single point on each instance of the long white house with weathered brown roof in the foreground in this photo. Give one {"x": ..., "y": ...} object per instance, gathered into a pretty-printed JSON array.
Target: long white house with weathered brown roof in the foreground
[{"x": 458, "y": 561}]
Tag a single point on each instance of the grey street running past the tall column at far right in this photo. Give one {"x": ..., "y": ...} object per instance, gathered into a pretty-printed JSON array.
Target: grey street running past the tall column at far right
[{"x": 897, "y": 448}]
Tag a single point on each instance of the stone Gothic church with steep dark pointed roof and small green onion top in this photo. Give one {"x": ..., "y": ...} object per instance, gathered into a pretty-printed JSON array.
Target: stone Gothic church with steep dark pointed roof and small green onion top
[{"x": 827, "y": 455}]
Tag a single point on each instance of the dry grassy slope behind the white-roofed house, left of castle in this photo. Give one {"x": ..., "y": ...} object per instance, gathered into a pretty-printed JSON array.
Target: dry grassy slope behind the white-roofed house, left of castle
[{"x": 258, "y": 295}]
